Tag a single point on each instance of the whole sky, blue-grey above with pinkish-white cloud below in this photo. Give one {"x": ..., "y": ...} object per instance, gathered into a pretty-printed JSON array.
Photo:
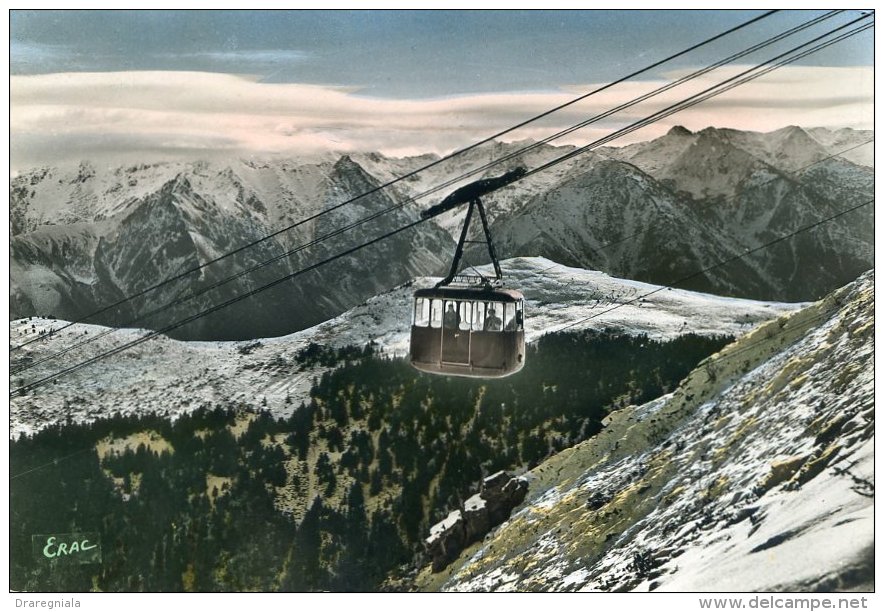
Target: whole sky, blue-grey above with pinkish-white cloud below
[{"x": 109, "y": 85}]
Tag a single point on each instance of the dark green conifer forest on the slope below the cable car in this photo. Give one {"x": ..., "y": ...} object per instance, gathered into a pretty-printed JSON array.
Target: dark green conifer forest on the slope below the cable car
[{"x": 336, "y": 497}]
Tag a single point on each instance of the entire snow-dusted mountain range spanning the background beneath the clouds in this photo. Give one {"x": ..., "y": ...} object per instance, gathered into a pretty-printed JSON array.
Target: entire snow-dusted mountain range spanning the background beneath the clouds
[{"x": 84, "y": 237}]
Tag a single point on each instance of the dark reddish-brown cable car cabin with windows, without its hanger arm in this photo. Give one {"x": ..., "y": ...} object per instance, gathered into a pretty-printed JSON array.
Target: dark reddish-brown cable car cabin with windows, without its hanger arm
[{"x": 476, "y": 332}]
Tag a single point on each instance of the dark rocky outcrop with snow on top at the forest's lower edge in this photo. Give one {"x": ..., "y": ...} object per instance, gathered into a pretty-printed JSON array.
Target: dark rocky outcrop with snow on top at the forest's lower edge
[{"x": 501, "y": 492}]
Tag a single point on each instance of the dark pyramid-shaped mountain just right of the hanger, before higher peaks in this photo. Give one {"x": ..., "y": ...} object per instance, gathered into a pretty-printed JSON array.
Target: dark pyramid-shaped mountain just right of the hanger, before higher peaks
[{"x": 614, "y": 217}]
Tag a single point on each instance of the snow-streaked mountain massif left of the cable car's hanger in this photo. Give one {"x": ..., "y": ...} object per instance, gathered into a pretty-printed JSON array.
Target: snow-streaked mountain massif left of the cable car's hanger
[{"x": 113, "y": 234}]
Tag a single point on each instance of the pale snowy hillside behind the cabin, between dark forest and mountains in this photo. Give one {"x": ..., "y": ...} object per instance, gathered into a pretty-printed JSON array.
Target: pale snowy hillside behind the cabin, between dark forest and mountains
[{"x": 171, "y": 377}]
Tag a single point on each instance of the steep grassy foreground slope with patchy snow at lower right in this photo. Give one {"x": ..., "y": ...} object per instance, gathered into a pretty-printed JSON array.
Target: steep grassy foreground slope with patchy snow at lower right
[{"x": 756, "y": 474}]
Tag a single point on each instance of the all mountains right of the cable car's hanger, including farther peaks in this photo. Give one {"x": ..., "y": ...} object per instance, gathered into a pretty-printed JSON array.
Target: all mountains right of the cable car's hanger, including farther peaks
[{"x": 662, "y": 210}]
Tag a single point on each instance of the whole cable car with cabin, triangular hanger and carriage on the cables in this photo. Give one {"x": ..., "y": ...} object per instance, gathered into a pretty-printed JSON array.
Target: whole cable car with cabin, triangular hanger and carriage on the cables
[{"x": 469, "y": 325}]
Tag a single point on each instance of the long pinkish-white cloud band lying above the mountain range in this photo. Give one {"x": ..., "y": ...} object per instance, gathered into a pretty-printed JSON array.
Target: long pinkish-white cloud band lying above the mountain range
[{"x": 170, "y": 114}]
